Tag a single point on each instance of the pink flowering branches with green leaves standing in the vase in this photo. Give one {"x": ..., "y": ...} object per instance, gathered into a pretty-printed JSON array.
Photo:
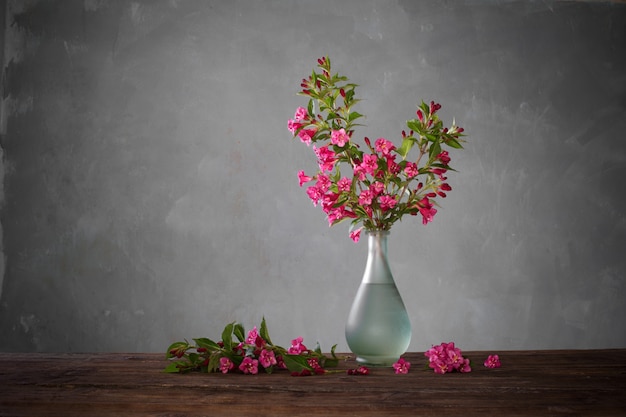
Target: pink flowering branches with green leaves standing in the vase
[{"x": 382, "y": 183}]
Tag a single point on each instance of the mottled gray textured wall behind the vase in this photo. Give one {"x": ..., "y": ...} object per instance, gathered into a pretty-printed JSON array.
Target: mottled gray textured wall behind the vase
[{"x": 150, "y": 190}]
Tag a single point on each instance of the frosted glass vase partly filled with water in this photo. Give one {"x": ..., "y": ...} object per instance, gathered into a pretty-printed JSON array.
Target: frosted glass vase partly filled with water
[{"x": 378, "y": 330}]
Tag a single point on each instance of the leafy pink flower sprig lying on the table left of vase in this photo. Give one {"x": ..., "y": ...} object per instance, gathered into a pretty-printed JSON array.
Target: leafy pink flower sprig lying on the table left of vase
[{"x": 249, "y": 354}]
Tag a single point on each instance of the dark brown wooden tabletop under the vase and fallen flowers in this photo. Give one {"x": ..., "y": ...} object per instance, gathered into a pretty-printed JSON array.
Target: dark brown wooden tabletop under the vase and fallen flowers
[{"x": 541, "y": 383}]
